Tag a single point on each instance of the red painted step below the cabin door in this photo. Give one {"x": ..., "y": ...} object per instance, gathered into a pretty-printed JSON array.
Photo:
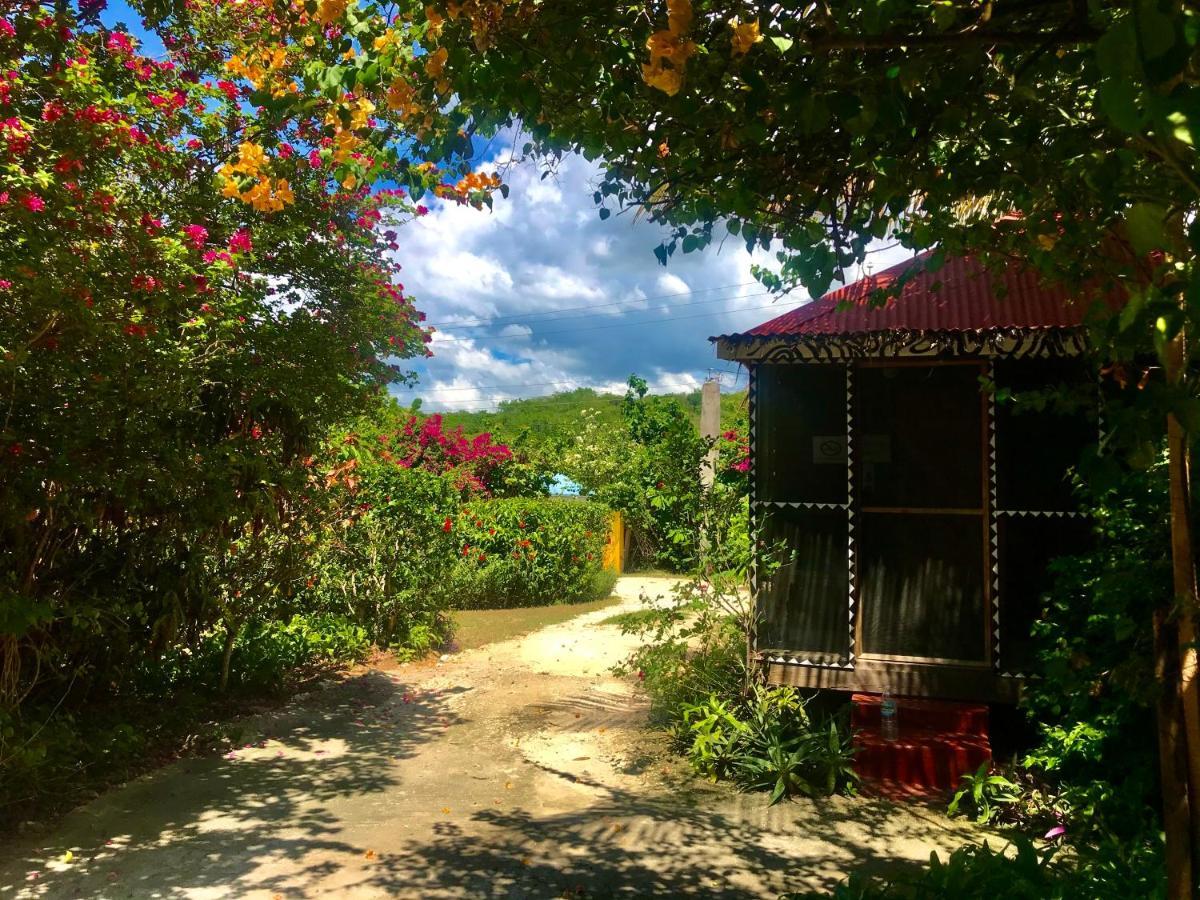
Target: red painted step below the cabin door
[{"x": 939, "y": 742}]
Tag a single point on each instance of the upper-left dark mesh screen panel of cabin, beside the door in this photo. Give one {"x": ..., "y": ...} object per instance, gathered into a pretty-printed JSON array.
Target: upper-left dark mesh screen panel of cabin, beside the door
[{"x": 801, "y": 433}]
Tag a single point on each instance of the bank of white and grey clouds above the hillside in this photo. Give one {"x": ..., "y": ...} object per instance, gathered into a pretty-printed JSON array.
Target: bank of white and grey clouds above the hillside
[{"x": 541, "y": 296}]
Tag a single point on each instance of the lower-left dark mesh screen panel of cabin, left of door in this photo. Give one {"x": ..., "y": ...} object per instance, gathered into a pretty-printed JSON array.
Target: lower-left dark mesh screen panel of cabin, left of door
[{"x": 806, "y": 605}]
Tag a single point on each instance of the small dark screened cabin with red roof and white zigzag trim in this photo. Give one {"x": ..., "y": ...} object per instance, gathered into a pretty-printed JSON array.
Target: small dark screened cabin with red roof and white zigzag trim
[{"x": 917, "y": 515}]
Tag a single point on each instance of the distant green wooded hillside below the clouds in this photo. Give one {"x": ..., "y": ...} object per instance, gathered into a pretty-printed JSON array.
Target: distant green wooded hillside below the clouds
[{"x": 557, "y": 411}]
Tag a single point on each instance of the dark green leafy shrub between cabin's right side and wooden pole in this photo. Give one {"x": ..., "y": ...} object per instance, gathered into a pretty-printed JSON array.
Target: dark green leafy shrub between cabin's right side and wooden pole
[{"x": 1094, "y": 692}]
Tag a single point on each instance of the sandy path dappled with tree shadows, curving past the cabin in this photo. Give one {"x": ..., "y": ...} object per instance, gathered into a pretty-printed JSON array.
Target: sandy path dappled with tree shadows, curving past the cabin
[{"x": 515, "y": 771}]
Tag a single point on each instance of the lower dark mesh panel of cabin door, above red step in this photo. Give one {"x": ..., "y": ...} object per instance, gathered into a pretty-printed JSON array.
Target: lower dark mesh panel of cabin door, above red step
[{"x": 921, "y": 586}]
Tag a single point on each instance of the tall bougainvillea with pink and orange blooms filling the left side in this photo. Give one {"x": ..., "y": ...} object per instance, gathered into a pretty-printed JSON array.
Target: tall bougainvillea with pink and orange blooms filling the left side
[{"x": 196, "y": 290}]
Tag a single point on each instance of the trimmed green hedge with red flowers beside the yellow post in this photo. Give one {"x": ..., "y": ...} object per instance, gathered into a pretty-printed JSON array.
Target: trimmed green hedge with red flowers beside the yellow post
[{"x": 530, "y": 553}]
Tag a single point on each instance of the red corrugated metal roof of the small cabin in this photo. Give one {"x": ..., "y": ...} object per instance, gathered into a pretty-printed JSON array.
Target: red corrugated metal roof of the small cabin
[{"x": 959, "y": 297}]
